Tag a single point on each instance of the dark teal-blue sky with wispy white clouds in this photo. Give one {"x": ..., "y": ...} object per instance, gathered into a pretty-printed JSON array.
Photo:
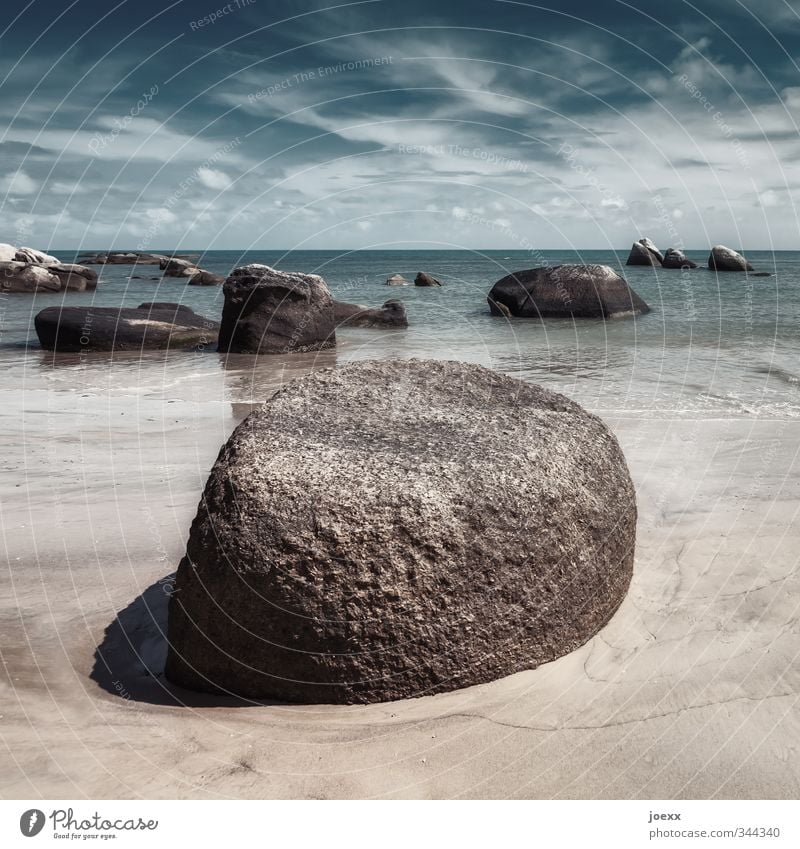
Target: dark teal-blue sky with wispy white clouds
[{"x": 399, "y": 123}]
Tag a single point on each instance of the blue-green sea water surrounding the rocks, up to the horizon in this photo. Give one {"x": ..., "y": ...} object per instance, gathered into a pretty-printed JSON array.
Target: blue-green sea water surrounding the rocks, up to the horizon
[{"x": 713, "y": 346}]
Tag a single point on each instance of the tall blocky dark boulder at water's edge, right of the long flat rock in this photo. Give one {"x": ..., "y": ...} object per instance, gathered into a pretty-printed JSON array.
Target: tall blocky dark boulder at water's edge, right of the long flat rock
[{"x": 267, "y": 311}]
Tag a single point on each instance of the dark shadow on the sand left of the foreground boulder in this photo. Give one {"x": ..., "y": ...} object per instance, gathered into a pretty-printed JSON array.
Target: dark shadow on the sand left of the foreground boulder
[{"x": 129, "y": 662}]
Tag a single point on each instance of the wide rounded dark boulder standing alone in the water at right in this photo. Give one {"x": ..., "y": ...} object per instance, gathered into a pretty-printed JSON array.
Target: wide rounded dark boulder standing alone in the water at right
[{"x": 579, "y": 291}]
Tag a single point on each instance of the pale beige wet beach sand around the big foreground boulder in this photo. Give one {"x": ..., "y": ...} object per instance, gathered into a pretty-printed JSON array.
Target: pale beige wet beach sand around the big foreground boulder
[{"x": 690, "y": 692}]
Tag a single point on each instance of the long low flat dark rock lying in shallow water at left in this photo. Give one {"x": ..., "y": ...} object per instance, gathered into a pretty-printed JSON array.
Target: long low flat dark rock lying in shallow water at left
[{"x": 157, "y": 325}]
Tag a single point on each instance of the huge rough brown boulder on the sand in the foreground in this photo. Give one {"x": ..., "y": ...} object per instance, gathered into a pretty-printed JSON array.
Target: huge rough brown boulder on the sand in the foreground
[{"x": 393, "y": 529}]
